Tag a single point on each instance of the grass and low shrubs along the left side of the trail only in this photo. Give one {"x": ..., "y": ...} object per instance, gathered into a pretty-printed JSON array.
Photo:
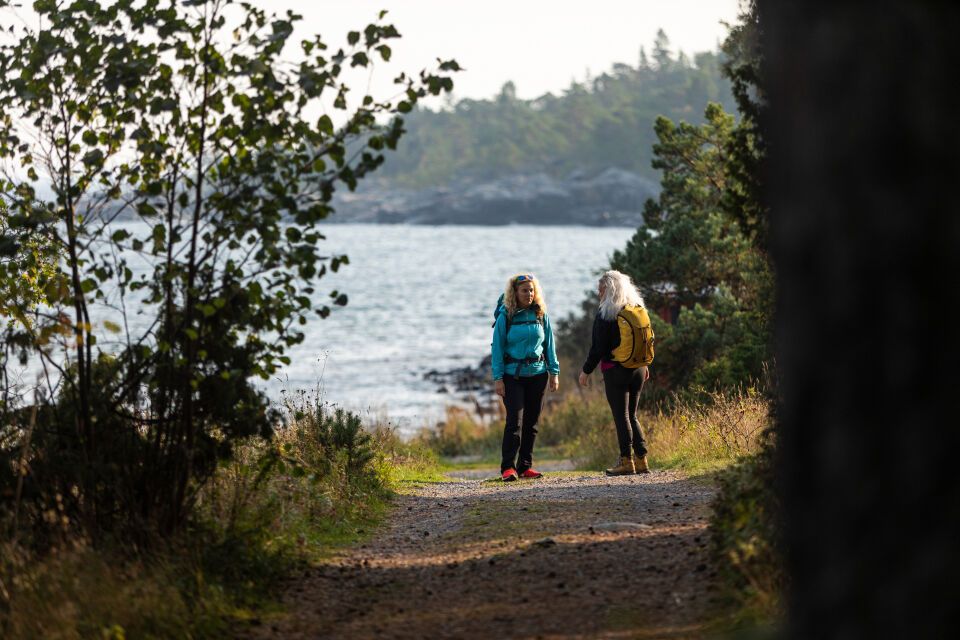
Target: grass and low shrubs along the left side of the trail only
[{"x": 321, "y": 483}]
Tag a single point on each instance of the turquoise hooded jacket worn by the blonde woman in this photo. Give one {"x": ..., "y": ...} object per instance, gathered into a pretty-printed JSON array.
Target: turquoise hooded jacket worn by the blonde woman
[{"x": 523, "y": 341}]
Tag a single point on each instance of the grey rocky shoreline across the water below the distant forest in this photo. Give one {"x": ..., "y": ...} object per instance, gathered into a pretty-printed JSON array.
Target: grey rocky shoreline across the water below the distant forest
[{"x": 613, "y": 197}]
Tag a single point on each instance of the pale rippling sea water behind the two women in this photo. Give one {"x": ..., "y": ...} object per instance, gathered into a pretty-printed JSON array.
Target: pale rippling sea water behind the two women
[{"x": 421, "y": 298}]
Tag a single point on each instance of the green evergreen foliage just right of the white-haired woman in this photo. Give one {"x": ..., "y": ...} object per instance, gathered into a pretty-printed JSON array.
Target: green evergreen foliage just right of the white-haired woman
[{"x": 694, "y": 257}]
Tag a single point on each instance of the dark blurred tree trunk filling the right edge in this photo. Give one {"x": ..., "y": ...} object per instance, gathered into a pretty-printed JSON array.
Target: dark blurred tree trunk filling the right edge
[{"x": 864, "y": 167}]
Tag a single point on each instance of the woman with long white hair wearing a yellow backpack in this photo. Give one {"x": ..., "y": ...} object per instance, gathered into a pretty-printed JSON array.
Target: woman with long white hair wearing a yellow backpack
[{"x": 621, "y": 383}]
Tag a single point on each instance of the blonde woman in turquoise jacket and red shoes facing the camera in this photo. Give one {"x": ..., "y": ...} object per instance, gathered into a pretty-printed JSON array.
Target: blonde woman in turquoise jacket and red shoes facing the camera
[{"x": 524, "y": 361}]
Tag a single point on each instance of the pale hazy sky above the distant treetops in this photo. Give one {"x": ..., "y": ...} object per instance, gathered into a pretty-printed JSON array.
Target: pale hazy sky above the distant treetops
[{"x": 541, "y": 45}]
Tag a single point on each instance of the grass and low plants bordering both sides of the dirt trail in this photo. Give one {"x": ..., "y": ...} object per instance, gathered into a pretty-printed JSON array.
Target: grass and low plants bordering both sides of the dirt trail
[{"x": 326, "y": 481}]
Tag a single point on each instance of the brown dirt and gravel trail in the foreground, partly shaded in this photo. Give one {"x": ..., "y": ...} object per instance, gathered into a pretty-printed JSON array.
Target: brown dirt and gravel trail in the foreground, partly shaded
[{"x": 571, "y": 555}]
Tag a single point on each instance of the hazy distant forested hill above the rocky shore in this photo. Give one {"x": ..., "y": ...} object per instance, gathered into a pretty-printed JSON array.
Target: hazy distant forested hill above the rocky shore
[{"x": 597, "y": 123}]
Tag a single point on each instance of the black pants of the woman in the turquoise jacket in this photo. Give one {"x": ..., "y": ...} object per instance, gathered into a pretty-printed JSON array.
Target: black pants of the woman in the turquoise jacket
[{"x": 523, "y": 398}]
